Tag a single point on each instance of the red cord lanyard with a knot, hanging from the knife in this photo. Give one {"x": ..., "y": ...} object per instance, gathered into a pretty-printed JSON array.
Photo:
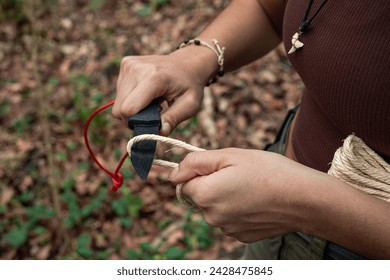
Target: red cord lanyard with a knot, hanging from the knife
[{"x": 116, "y": 176}]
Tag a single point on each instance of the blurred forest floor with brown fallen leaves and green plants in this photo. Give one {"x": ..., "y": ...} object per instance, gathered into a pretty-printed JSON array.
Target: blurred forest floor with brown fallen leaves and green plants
[{"x": 59, "y": 61}]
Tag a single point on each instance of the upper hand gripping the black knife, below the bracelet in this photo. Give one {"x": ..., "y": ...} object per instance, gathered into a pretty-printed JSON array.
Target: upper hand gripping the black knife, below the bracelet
[{"x": 178, "y": 78}]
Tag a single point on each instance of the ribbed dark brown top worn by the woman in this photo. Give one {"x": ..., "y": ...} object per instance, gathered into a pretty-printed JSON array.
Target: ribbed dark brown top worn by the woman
[{"x": 345, "y": 66}]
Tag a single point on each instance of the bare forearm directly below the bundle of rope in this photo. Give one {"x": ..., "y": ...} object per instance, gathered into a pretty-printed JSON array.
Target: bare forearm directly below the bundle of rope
[{"x": 348, "y": 217}]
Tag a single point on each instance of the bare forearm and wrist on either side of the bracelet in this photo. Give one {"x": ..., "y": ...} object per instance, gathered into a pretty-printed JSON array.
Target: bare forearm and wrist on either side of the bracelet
[{"x": 244, "y": 29}]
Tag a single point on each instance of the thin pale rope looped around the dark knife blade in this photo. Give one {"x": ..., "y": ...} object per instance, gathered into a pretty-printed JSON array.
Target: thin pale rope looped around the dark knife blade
[{"x": 179, "y": 193}]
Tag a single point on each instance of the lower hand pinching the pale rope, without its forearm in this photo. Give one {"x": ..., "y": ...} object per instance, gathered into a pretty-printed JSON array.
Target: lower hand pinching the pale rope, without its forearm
[{"x": 249, "y": 194}]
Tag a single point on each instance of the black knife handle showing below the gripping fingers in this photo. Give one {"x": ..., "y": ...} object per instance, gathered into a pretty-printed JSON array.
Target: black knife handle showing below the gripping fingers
[{"x": 149, "y": 116}]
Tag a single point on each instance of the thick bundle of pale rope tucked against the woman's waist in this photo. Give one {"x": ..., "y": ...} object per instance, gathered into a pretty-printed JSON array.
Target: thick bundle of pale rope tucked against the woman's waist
[{"x": 358, "y": 165}]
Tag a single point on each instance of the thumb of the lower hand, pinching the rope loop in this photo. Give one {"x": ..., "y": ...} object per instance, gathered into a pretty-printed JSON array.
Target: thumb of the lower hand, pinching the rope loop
[{"x": 199, "y": 164}]
